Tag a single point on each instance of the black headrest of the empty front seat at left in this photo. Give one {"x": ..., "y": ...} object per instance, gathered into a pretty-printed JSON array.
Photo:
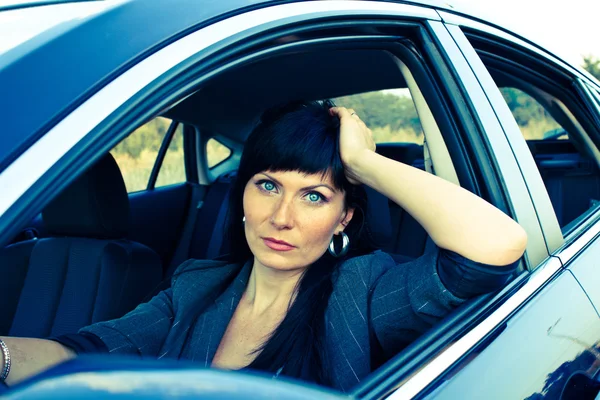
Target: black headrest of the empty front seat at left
[{"x": 95, "y": 205}]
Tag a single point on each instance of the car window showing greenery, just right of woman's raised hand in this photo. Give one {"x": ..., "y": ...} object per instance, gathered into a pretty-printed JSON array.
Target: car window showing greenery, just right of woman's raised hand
[{"x": 390, "y": 114}]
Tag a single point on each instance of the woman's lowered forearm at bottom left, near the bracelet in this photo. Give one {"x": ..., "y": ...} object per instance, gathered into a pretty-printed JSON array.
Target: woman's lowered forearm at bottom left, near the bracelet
[{"x": 32, "y": 356}]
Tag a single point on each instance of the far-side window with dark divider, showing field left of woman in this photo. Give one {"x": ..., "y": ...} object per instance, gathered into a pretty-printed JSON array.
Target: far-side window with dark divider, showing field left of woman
[{"x": 137, "y": 154}]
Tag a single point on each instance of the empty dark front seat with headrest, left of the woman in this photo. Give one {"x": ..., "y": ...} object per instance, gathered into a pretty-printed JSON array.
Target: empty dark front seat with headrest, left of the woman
[{"x": 86, "y": 271}]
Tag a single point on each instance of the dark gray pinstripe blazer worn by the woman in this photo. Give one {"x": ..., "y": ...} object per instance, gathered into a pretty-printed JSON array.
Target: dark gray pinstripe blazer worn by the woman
[{"x": 371, "y": 293}]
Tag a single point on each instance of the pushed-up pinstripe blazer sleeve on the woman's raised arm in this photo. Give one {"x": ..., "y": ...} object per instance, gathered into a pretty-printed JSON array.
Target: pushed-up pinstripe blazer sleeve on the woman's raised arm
[{"x": 407, "y": 299}]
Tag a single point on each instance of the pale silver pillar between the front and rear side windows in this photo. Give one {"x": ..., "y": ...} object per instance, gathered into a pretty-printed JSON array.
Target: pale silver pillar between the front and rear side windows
[{"x": 478, "y": 87}]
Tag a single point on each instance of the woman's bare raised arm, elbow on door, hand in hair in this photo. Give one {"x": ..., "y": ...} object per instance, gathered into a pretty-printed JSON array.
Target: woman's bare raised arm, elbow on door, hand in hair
[{"x": 454, "y": 218}]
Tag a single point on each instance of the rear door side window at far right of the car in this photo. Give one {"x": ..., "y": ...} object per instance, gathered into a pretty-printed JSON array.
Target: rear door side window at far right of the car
[{"x": 559, "y": 131}]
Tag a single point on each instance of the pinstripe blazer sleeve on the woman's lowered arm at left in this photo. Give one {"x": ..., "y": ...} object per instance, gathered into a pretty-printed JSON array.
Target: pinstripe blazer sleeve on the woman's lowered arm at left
[{"x": 142, "y": 331}]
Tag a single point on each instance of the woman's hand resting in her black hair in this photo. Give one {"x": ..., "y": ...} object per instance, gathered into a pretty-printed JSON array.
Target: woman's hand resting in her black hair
[{"x": 355, "y": 139}]
